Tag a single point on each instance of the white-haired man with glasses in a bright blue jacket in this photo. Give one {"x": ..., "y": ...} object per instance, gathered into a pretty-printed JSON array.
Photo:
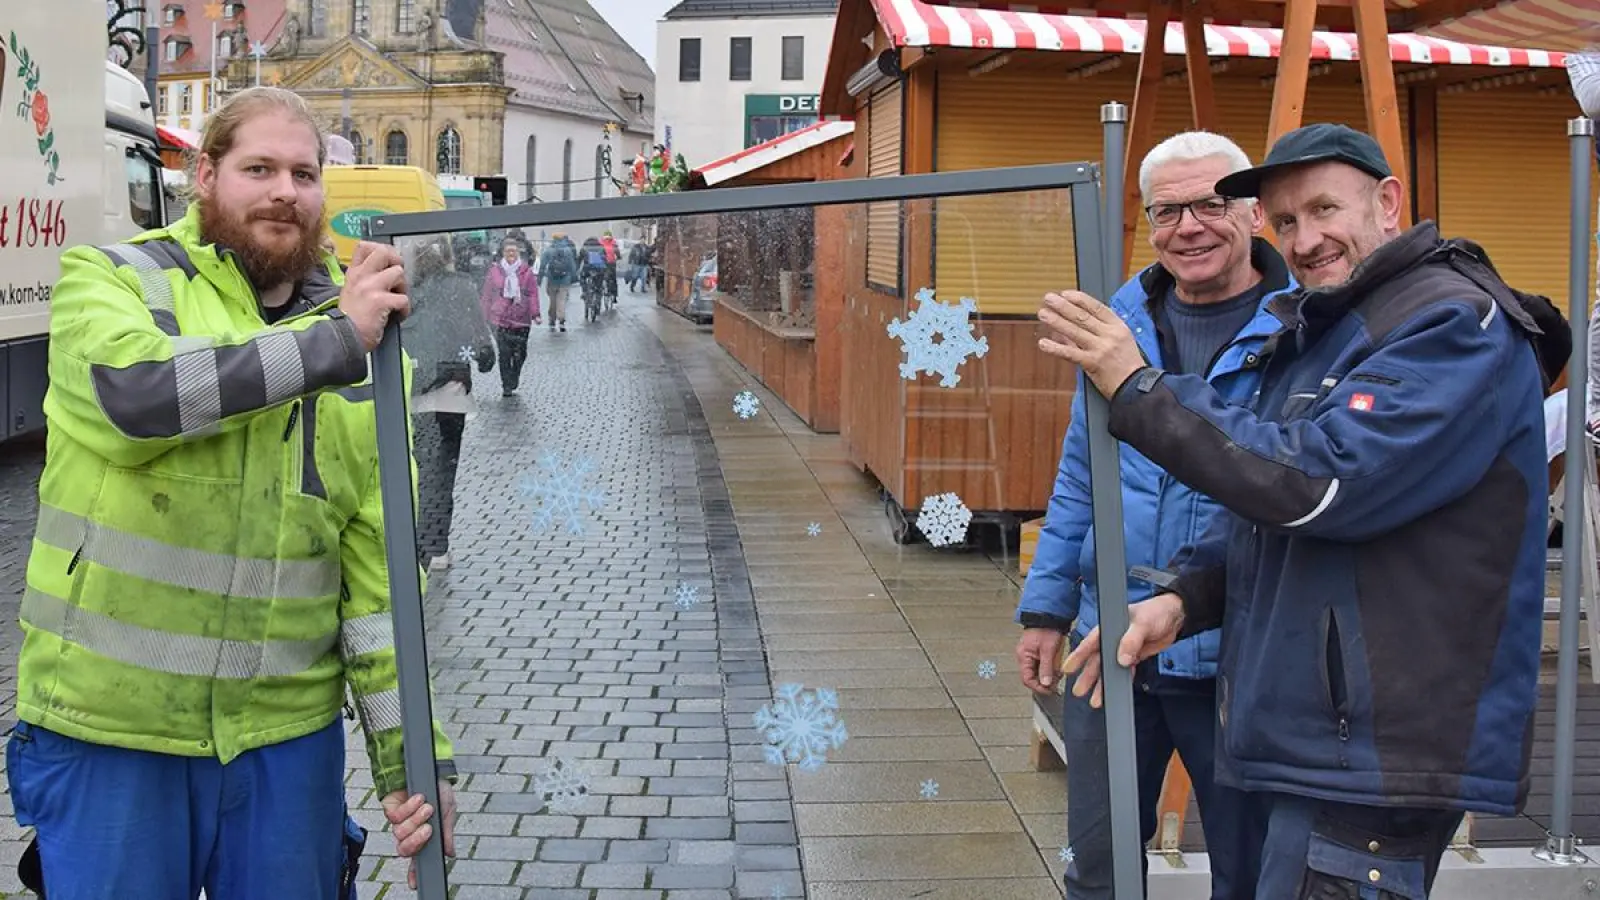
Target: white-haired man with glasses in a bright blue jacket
[{"x": 1199, "y": 310}]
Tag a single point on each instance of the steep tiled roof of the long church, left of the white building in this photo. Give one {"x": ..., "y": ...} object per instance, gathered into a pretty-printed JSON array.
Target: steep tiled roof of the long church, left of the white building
[{"x": 561, "y": 55}]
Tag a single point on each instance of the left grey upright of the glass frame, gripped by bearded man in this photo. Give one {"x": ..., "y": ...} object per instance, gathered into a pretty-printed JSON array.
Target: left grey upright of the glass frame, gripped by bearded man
[{"x": 406, "y": 593}]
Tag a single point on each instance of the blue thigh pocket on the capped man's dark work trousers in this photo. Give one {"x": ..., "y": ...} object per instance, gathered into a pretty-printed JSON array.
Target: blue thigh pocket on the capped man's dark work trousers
[{"x": 1345, "y": 862}]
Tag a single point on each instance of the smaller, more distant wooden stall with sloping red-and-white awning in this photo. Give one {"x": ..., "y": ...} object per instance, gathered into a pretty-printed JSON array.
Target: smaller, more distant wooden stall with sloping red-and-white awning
[{"x": 782, "y": 281}]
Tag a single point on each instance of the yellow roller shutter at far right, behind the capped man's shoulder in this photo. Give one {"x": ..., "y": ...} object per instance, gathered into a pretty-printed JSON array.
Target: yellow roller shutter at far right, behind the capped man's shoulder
[{"x": 1505, "y": 180}]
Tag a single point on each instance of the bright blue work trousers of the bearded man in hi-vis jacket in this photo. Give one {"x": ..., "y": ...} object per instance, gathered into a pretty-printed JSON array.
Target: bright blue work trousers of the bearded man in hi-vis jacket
[{"x": 138, "y": 826}]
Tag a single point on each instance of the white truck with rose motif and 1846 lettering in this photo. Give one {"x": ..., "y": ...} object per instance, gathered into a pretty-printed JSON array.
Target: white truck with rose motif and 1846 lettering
[{"x": 73, "y": 172}]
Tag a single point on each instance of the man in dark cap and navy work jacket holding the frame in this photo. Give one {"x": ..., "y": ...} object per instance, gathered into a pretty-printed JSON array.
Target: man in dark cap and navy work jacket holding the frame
[{"x": 1380, "y": 571}]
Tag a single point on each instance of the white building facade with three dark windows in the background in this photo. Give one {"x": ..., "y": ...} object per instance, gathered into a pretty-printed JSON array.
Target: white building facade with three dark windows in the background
[{"x": 708, "y": 118}]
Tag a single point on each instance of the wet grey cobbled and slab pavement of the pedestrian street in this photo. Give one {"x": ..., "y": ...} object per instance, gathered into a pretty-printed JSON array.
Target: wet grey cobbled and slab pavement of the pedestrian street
[{"x": 602, "y": 688}]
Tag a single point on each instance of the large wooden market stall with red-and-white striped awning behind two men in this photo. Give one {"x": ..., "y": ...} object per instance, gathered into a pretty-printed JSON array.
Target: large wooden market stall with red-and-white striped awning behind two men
[{"x": 937, "y": 89}]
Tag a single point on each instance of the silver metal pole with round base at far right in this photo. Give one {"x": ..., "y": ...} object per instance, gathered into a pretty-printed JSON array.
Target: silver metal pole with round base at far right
[{"x": 1561, "y": 846}]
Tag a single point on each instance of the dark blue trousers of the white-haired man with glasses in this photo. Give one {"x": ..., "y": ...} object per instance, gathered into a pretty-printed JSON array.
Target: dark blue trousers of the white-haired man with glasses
[{"x": 1170, "y": 715}]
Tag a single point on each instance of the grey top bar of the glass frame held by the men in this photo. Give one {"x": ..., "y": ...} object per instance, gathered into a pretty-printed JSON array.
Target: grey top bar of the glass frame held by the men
[{"x": 740, "y": 199}]
